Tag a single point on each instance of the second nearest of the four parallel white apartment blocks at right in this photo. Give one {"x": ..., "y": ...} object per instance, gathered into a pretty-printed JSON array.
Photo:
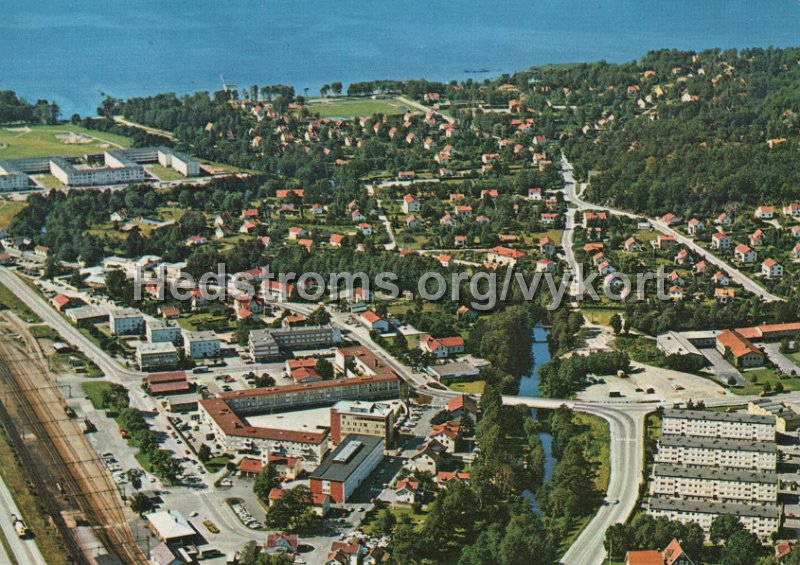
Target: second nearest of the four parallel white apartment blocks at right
[{"x": 726, "y": 485}]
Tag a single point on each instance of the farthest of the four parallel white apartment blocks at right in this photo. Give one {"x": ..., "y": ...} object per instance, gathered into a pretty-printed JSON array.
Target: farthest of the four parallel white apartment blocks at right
[{"x": 733, "y": 425}]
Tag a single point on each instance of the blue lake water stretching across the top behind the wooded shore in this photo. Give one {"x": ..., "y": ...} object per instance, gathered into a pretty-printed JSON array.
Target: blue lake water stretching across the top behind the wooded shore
[{"x": 74, "y": 51}]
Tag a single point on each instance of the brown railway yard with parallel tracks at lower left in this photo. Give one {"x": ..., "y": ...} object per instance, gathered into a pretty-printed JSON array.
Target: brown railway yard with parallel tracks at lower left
[{"x": 64, "y": 470}]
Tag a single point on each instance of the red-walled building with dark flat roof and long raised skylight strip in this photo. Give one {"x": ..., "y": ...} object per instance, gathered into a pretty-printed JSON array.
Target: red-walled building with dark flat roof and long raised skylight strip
[{"x": 343, "y": 471}]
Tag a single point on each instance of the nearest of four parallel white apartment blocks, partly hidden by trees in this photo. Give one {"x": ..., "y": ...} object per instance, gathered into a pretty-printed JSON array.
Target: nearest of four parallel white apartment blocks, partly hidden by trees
[{"x": 760, "y": 519}]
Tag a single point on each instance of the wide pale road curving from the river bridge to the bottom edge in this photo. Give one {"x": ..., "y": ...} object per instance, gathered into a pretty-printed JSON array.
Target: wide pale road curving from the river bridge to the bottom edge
[{"x": 626, "y": 429}]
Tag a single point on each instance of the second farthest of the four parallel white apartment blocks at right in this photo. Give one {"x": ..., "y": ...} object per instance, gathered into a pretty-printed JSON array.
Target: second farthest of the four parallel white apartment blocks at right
[{"x": 713, "y": 452}]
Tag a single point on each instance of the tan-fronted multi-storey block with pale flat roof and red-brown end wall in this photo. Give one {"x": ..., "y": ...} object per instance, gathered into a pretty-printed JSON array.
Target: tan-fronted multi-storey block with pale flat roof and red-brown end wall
[{"x": 363, "y": 418}]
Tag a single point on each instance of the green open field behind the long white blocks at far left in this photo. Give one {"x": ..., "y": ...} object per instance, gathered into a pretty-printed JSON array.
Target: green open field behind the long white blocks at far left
[{"x": 62, "y": 140}]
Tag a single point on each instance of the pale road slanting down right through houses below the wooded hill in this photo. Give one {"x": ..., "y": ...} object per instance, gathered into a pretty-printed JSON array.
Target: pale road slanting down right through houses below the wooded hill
[{"x": 735, "y": 274}]
